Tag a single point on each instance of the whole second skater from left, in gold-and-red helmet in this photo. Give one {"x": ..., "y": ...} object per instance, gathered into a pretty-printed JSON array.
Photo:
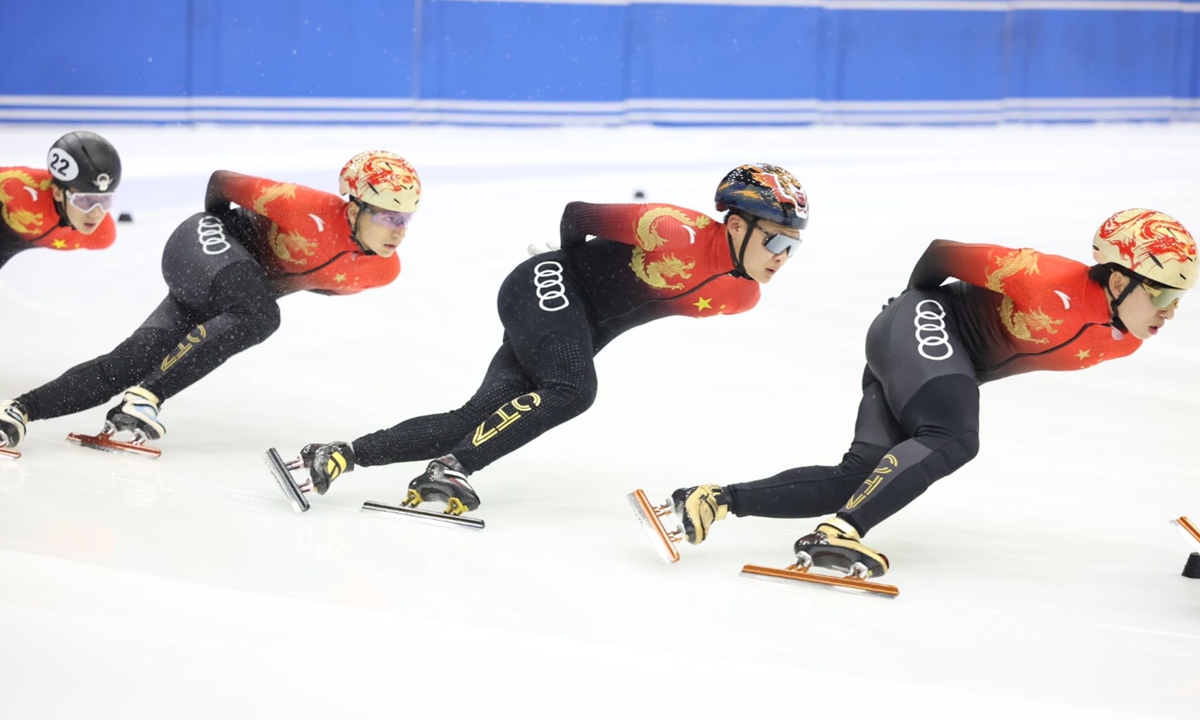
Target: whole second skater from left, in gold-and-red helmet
[{"x": 226, "y": 271}]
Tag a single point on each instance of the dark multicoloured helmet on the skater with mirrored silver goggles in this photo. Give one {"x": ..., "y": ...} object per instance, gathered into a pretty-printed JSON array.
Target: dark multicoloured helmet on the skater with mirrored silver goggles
[{"x": 765, "y": 191}]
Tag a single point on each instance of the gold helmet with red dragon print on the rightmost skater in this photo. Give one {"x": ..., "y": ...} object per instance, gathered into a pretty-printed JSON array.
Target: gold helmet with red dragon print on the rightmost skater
[{"x": 1151, "y": 244}]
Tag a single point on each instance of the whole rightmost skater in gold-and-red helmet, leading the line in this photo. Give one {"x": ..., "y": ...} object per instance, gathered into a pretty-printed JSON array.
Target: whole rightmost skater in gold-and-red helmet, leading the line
[{"x": 1010, "y": 311}]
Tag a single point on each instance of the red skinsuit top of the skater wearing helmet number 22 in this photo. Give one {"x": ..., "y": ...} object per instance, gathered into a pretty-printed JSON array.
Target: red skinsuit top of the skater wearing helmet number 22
[{"x": 34, "y": 219}]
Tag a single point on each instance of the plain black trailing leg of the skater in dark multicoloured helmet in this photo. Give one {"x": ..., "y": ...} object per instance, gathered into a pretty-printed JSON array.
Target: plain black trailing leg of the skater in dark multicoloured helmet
[{"x": 434, "y": 436}]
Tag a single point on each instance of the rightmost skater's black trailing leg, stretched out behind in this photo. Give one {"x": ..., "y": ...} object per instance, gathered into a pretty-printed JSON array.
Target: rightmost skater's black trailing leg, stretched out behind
[{"x": 821, "y": 490}]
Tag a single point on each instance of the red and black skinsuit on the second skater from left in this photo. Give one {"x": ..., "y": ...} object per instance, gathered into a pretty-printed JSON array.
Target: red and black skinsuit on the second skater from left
[{"x": 226, "y": 271}]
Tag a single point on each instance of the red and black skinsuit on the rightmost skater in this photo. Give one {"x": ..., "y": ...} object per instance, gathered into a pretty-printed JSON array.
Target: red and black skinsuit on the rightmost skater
[{"x": 1011, "y": 311}]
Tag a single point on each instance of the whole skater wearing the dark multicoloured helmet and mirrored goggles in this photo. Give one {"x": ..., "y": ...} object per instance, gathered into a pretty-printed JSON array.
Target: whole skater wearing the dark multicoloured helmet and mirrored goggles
[{"x": 560, "y": 309}]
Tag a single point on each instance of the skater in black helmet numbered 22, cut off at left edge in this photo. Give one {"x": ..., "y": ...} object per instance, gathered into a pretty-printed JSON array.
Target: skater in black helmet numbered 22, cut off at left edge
[{"x": 64, "y": 207}]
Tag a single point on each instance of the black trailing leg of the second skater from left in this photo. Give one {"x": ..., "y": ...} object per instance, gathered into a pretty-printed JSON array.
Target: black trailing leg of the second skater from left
[{"x": 95, "y": 382}]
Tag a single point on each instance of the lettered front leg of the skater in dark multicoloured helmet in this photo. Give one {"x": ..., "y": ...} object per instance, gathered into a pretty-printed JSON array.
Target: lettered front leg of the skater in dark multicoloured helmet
[{"x": 553, "y": 341}]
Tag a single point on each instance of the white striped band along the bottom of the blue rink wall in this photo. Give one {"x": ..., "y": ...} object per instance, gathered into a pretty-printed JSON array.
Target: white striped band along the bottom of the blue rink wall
[{"x": 682, "y": 112}]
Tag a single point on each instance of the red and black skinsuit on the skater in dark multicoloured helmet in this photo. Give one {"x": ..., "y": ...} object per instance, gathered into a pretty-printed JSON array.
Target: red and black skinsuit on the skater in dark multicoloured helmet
[{"x": 560, "y": 309}]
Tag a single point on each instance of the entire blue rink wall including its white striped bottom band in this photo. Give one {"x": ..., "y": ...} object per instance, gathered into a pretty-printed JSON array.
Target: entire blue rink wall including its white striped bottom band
[{"x": 467, "y": 62}]
